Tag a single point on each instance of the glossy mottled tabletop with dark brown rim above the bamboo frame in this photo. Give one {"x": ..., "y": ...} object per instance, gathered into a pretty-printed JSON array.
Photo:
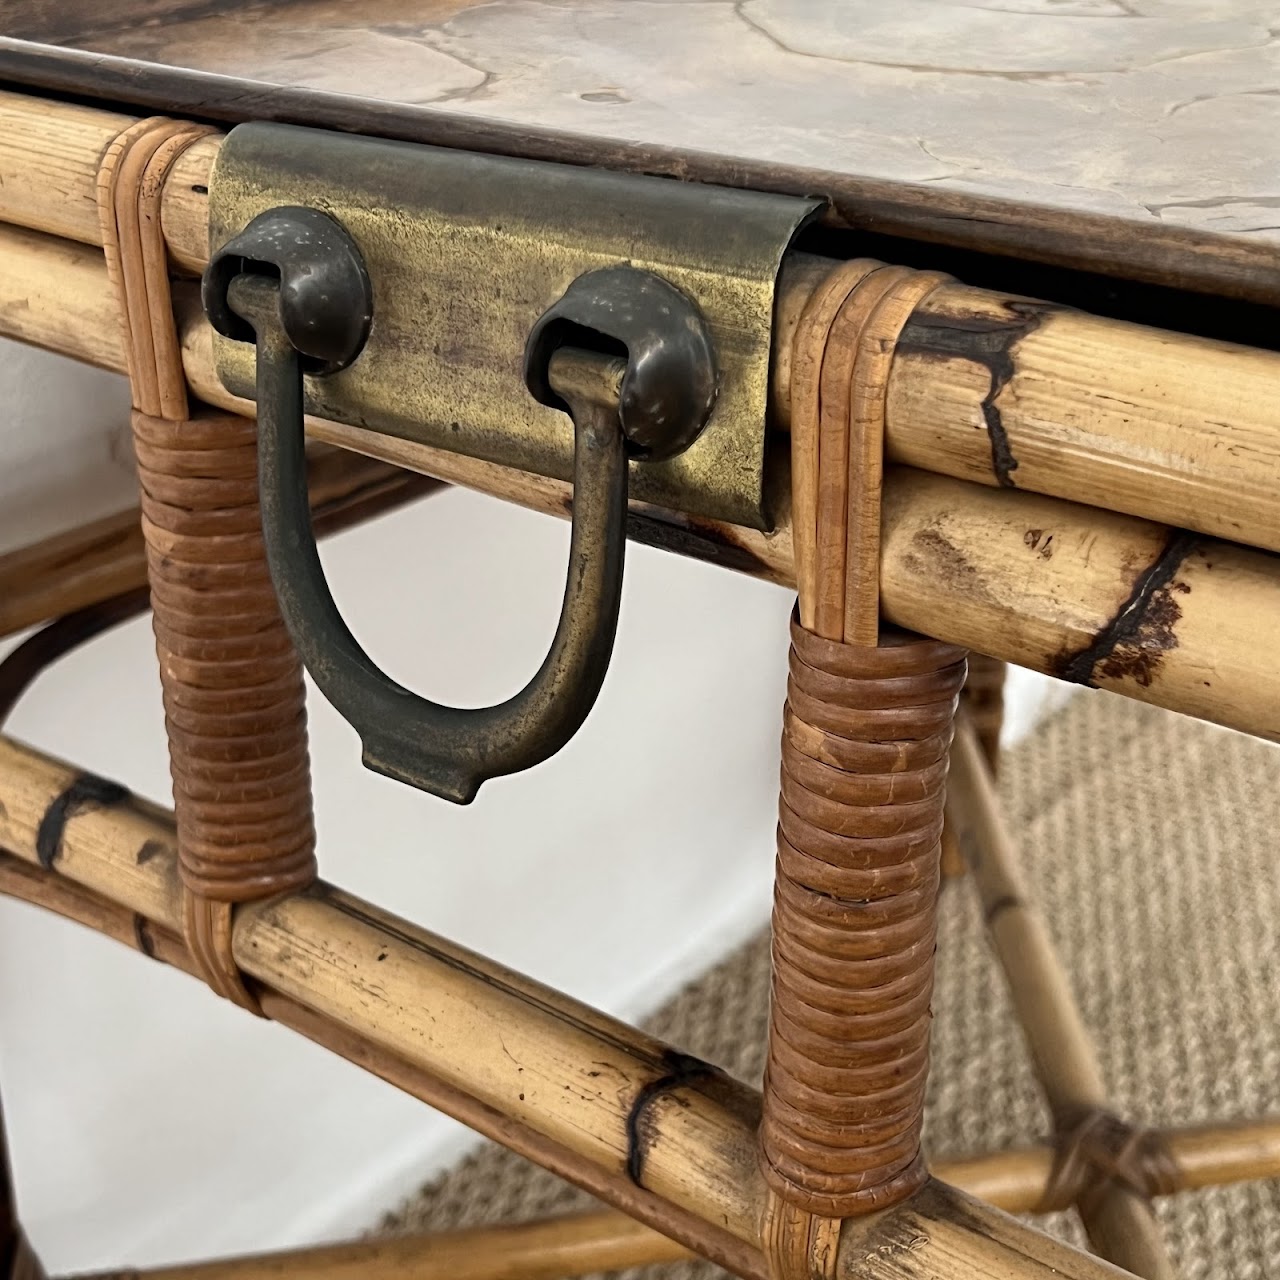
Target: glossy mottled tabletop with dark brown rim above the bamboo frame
[{"x": 1136, "y": 138}]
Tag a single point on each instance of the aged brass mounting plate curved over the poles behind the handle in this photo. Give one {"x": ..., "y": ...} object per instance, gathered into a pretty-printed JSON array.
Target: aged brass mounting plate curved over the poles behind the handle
[{"x": 467, "y": 252}]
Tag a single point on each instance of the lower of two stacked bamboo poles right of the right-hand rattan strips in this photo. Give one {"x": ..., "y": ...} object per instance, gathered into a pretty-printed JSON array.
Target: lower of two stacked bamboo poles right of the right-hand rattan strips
[{"x": 1086, "y": 596}]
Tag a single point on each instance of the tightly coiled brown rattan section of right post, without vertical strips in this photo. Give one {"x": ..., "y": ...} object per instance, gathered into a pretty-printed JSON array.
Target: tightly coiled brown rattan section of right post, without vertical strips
[{"x": 854, "y": 918}]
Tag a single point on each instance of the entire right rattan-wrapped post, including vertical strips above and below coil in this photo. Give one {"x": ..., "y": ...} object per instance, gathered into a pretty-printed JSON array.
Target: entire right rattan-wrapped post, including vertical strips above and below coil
[{"x": 865, "y": 761}]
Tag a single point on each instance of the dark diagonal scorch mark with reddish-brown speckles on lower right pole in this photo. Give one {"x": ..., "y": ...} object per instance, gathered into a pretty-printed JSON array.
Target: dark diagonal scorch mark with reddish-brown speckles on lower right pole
[{"x": 1133, "y": 644}]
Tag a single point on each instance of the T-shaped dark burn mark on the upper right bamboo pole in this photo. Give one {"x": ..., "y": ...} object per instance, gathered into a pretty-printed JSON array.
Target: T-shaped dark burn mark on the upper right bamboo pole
[{"x": 989, "y": 341}]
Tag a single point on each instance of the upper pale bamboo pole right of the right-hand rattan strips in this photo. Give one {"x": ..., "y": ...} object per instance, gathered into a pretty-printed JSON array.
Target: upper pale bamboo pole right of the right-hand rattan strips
[{"x": 1005, "y": 391}]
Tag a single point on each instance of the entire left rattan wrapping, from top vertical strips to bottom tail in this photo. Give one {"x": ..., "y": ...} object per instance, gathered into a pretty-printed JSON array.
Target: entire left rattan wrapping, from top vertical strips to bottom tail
[{"x": 234, "y": 691}]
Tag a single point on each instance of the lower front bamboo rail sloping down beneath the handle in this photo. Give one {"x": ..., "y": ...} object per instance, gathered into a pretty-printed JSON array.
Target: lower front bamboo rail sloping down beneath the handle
[{"x": 602, "y": 1092}]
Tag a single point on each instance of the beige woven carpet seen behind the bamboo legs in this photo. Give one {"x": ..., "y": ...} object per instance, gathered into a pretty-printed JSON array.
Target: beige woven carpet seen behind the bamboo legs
[{"x": 1153, "y": 845}]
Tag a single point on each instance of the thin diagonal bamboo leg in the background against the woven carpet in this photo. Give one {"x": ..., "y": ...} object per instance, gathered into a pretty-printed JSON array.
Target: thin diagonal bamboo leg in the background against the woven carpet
[{"x": 1119, "y": 1222}]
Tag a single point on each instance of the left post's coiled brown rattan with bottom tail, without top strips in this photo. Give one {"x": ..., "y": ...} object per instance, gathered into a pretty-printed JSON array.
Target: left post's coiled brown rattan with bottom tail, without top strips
[{"x": 234, "y": 691}]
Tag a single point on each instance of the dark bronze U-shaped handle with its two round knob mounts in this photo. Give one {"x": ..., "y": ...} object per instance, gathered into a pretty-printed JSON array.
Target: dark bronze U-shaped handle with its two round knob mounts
[{"x": 665, "y": 394}]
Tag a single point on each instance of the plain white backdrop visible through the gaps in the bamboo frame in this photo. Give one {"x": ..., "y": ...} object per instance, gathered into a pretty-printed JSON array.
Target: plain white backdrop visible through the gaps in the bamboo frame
[{"x": 152, "y": 1122}]
